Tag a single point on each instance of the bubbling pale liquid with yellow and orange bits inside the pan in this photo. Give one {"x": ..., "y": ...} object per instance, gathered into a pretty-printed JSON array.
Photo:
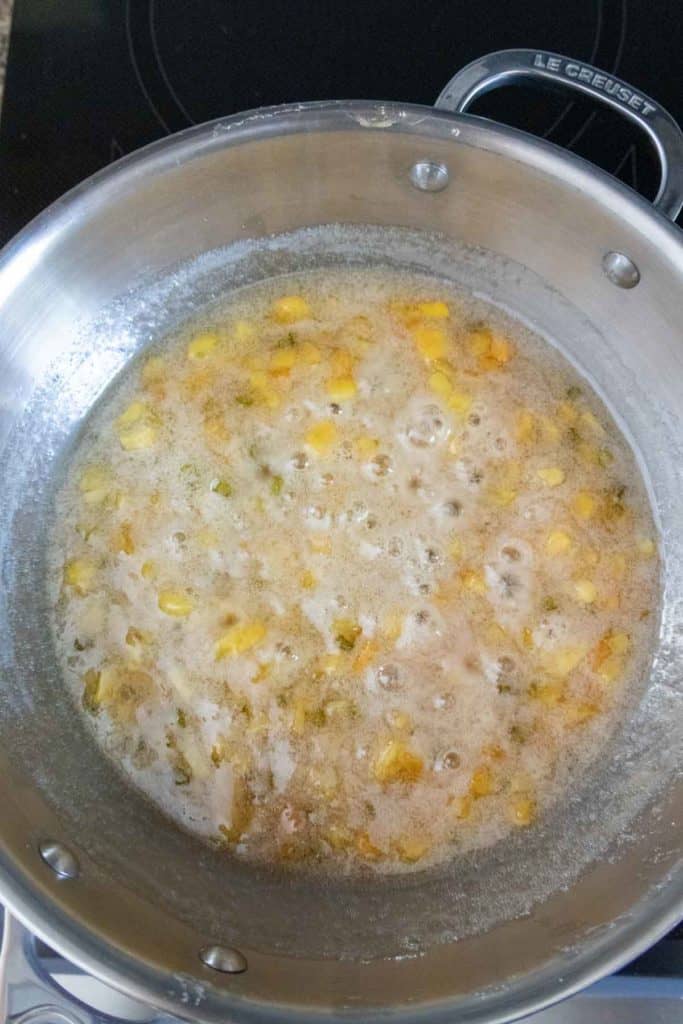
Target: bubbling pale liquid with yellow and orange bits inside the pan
[{"x": 355, "y": 573}]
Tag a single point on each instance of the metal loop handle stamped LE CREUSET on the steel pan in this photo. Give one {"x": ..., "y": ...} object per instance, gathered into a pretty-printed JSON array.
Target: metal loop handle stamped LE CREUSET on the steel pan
[{"x": 513, "y": 67}]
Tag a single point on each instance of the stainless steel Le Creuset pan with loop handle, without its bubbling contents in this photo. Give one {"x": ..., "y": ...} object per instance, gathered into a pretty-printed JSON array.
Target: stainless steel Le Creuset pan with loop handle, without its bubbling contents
[{"x": 84, "y": 862}]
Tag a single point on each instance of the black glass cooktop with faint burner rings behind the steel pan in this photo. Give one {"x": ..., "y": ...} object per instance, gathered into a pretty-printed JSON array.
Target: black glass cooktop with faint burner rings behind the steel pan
[{"x": 92, "y": 80}]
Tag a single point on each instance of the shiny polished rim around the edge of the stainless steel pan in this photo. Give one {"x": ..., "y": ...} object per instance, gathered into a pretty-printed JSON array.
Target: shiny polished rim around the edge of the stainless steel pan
[{"x": 654, "y": 916}]
